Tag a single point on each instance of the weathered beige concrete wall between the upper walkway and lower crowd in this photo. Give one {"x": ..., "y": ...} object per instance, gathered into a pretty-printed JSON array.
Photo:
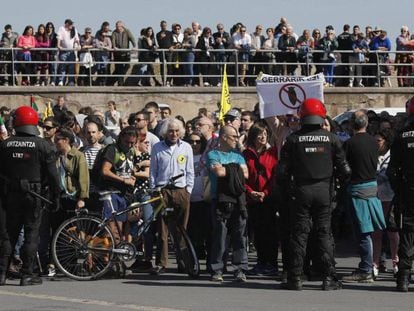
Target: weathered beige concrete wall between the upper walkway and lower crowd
[{"x": 186, "y": 101}]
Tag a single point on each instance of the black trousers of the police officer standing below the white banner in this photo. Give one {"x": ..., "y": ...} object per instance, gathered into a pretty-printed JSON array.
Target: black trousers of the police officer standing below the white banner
[{"x": 313, "y": 202}]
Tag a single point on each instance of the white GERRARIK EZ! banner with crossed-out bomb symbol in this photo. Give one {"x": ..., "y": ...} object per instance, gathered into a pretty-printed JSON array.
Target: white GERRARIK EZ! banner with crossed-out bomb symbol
[{"x": 280, "y": 95}]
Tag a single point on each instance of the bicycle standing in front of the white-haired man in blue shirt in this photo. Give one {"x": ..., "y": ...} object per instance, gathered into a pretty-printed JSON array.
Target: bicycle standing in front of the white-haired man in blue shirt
[{"x": 84, "y": 247}]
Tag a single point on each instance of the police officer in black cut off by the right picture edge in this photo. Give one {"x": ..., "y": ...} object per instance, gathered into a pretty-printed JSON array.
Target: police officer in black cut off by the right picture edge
[{"x": 401, "y": 174}]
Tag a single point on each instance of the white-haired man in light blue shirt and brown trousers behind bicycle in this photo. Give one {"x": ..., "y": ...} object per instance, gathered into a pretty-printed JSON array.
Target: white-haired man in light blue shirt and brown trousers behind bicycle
[{"x": 172, "y": 157}]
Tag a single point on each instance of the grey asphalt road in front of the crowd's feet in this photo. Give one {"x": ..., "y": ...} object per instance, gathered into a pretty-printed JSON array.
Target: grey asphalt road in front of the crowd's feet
[{"x": 172, "y": 291}]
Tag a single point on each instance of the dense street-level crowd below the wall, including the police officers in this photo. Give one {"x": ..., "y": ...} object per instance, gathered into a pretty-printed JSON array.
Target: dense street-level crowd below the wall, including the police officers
[{"x": 289, "y": 182}]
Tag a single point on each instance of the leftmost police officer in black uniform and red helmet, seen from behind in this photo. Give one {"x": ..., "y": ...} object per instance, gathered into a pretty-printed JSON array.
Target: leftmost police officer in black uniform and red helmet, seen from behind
[{"x": 26, "y": 161}]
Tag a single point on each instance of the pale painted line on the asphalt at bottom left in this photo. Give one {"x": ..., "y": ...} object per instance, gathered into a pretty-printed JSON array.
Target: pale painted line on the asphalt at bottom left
[{"x": 85, "y": 301}]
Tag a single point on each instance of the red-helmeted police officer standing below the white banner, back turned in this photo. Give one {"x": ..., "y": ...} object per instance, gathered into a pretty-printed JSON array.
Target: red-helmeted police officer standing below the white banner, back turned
[{"x": 308, "y": 159}]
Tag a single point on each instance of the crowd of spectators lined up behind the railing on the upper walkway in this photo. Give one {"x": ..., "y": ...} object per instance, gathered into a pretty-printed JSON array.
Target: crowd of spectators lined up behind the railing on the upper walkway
[{"x": 193, "y": 56}]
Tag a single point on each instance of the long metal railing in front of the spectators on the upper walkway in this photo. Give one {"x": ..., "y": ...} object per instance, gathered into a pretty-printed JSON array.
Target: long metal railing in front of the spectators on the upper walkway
[{"x": 174, "y": 67}]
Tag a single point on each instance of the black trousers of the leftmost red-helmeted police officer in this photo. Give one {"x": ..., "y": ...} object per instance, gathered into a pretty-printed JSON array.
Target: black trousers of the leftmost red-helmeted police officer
[{"x": 22, "y": 210}]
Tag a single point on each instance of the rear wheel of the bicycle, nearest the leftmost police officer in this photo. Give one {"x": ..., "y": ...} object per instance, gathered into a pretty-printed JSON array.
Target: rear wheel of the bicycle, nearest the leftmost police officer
[{"x": 82, "y": 248}]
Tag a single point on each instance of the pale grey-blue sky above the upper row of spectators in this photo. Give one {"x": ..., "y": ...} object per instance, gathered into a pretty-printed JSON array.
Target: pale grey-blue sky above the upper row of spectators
[{"x": 137, "y": 14}]
